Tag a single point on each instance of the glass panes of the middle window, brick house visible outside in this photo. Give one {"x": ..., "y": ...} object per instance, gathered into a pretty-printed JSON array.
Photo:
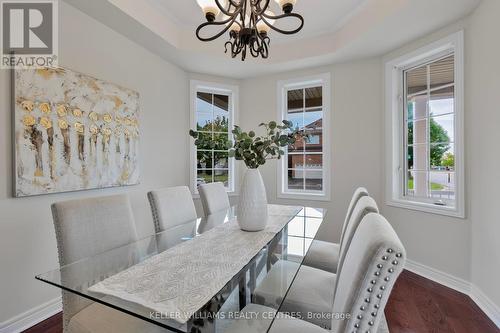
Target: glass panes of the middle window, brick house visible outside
[{"x": 305, "y": 158}]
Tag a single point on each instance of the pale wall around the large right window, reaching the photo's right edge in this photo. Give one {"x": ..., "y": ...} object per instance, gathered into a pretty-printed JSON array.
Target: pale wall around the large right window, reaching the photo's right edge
[{"x": 467, "y": 248}]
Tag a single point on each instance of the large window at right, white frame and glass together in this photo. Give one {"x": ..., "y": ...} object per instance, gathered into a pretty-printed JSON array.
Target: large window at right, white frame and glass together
[{"x": 426, "y": 111}]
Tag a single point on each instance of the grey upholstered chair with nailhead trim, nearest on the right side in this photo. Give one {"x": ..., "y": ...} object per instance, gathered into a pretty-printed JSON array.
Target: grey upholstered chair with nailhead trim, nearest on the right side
[{"x": 372, "y": 265}]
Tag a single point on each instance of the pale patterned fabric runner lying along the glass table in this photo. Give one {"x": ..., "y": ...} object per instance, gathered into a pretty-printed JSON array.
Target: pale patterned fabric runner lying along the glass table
[{"x": 179, "y": 281}]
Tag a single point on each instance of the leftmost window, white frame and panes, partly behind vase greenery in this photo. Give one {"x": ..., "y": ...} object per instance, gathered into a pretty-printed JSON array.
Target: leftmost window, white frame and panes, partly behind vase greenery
[{"x": 213, "y": 110}]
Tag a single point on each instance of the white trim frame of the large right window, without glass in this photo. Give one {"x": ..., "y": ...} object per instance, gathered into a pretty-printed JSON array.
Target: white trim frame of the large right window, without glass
[{"x": 394, "y": 120}]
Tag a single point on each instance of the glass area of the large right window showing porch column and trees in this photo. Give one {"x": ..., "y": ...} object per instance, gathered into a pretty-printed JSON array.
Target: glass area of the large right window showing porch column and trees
[{"x": 430, "y": 118}]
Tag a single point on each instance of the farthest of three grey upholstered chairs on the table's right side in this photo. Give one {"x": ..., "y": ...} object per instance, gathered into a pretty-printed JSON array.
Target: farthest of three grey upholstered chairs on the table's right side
[{"x": 325, "y": 255}]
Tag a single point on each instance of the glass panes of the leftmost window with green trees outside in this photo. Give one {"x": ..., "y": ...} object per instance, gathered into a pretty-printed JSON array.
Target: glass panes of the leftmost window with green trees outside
[{"x": 212, "y": 123}]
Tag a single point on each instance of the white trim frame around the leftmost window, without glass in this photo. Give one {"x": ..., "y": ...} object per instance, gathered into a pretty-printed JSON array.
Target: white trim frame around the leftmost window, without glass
[{"x": 212, "y": 87}]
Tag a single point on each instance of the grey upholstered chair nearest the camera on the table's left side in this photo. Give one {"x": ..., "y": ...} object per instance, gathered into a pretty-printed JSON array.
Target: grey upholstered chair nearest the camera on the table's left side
[{"x": 85, "y": 228}]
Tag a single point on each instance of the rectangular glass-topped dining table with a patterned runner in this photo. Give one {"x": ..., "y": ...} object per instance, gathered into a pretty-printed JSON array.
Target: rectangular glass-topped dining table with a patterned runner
[{"x": 197, "y": 276}]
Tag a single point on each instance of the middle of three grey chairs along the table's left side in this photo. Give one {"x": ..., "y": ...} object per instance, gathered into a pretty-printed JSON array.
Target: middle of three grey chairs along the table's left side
[{"x": 172, "y": 207}]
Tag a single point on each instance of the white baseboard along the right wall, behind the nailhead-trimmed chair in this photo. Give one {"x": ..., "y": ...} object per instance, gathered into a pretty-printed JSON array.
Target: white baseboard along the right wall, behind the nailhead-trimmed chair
[{"x": 458, "y": 284}]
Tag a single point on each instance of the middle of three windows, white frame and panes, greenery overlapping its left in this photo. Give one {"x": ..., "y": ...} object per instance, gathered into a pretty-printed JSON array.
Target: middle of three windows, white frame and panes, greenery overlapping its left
[{"x": 304, "y": 171}]
